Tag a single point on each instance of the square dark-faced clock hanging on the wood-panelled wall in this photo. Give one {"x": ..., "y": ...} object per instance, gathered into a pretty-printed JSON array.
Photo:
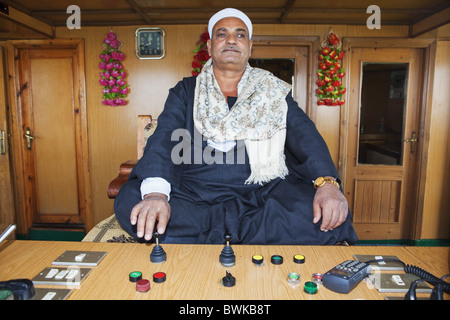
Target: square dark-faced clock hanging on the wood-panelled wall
[{"x": 150, "y": 43}]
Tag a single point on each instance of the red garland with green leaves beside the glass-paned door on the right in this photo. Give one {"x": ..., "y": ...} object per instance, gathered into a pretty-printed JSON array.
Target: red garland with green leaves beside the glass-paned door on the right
[{"x": 330, "y": 89}]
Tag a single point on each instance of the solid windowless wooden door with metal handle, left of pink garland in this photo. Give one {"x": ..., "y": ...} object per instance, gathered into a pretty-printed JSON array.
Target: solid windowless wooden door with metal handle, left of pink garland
[{"x": 50, "y": 134}]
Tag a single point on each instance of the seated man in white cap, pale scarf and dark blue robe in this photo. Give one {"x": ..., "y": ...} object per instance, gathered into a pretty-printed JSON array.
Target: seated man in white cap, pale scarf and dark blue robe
[{"x": 266, "y": 196}]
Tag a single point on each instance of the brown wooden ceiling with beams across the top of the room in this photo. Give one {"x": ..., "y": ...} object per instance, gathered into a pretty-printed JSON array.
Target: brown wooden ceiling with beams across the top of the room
[{"x": 28, "y": 18}]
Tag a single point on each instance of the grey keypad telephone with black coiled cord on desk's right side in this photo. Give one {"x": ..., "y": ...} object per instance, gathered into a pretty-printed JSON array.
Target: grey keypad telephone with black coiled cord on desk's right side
[{"x": 344, "y": 277}]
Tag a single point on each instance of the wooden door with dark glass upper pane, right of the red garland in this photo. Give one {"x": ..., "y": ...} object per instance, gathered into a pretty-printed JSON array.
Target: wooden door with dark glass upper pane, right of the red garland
[{"x": 381, "y": 181}]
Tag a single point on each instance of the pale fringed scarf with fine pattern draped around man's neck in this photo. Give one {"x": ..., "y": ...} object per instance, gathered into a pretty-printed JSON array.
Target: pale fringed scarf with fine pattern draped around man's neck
[{"x": 258, "y": 117}]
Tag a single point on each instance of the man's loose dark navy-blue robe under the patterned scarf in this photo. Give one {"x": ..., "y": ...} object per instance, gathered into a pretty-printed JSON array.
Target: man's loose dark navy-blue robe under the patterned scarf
[{"x": 211, "y": 199}]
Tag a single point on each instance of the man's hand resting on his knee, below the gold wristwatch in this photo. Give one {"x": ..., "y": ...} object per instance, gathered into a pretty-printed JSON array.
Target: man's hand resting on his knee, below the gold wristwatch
[{"x": 331, "y": 205}]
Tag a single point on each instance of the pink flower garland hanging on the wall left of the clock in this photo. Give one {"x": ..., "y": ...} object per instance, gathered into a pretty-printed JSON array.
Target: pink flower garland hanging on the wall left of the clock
[{"x": 112, "y": 75}]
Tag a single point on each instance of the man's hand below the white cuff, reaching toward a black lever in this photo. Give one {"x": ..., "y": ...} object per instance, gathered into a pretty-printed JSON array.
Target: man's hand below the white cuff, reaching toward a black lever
[{"x": 153, "y": 207}]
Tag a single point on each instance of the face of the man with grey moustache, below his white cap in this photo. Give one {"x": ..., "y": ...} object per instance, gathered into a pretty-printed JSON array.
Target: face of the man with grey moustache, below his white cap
[{"x": 230, "y": 46}]
